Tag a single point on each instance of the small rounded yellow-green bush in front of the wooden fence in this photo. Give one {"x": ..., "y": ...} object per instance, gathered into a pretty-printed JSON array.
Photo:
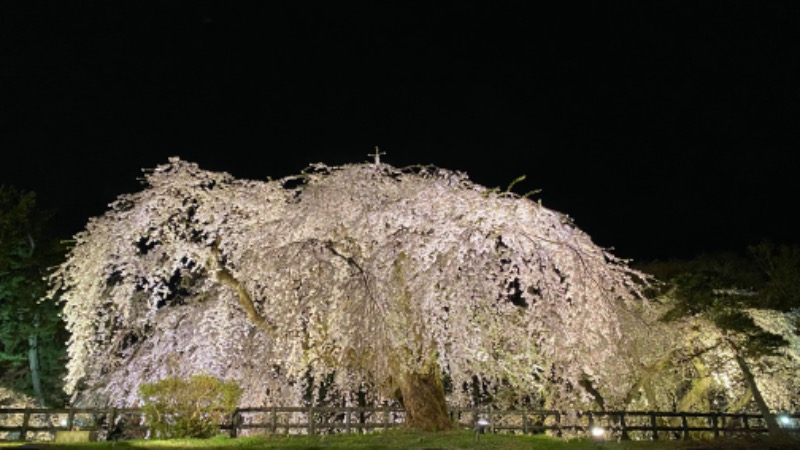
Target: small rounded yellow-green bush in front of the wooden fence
[{"x": 177, "y": 408}]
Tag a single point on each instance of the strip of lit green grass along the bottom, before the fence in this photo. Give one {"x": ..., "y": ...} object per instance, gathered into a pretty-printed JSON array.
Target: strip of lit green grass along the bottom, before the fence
[{"x": 407, "y": 440}]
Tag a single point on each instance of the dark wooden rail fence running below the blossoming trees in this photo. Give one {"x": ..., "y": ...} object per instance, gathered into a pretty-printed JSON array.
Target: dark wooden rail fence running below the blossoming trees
[{"x": 42, "y": 424}]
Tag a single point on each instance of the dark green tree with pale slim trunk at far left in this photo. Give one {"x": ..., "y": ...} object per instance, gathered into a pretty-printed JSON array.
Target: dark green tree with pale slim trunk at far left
[{"x": 32, "y": 335}]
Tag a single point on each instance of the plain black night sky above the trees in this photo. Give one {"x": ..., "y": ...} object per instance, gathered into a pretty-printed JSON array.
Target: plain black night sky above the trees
[{"x": 664, "y": 129}]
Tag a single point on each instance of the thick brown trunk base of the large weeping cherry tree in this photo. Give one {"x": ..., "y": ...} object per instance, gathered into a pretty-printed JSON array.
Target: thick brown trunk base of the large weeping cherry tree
[{"x": 424, "y": 403}]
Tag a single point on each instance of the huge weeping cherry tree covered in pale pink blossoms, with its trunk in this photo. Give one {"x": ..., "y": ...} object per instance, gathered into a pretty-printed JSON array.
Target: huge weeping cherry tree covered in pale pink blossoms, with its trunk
[{"x": 363, "y": 279}]
